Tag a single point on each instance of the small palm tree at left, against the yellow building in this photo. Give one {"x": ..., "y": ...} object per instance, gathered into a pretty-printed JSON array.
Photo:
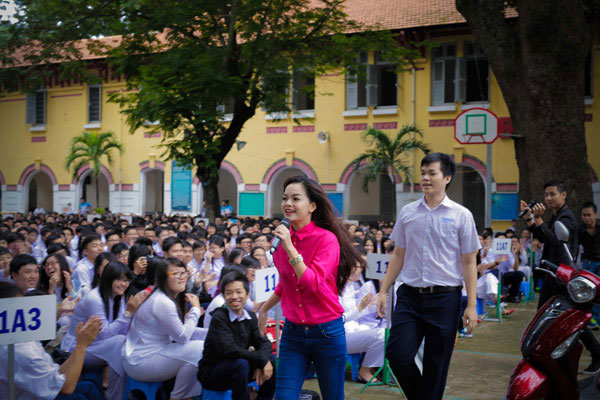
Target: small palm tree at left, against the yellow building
[{"x": 92, "y": 147}]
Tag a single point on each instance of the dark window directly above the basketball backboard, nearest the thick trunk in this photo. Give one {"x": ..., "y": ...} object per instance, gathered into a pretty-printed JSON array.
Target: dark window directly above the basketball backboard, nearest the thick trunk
[{"x": 477, "y": 74}]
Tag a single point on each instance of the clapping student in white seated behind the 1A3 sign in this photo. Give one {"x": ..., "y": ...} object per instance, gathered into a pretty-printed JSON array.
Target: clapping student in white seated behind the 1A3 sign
[{"x": 39, "y": 377}]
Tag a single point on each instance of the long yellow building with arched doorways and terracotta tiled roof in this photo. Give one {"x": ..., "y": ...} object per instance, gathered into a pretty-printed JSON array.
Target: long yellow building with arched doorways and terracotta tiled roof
[{"x": 36, "y": 130}]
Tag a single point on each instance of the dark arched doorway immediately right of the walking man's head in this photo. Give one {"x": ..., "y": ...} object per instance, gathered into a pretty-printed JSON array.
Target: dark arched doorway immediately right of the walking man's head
[{"x": 468, "y": 189}]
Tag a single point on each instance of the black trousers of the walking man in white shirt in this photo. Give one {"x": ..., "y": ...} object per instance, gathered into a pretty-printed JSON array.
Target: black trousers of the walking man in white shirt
[{"x": 417, "y": 316}]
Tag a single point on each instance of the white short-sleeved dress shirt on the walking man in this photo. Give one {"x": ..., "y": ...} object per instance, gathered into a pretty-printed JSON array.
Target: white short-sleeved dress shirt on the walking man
[{"x": 434, "y": 241}]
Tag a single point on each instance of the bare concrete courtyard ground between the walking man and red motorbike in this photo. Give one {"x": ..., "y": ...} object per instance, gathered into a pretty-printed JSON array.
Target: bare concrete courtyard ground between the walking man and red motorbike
[{"x": 480, "y": 366}]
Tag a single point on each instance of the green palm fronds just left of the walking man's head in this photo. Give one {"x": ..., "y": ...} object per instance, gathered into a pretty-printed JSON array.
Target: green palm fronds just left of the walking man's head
[{"x": 385, "y": 154}]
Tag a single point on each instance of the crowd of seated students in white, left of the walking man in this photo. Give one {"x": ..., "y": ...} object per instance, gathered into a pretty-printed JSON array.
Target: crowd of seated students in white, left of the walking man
[{"x": 131, "y": 296}]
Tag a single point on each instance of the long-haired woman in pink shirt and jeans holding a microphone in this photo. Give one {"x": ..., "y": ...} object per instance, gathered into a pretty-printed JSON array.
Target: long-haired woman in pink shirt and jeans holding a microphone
[{"x": 314, "y": 261}]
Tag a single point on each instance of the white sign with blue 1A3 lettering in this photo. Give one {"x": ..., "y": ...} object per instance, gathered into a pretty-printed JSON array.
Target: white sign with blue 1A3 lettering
[{"x": 25, "y": 319}]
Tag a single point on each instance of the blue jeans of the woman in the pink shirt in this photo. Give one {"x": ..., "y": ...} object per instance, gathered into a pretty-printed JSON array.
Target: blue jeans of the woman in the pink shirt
[{"x": 325, "y": 346}]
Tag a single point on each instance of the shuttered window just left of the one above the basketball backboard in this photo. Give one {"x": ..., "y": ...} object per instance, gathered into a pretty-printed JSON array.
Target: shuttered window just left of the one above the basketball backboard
[{"x": 443, "y": 74}]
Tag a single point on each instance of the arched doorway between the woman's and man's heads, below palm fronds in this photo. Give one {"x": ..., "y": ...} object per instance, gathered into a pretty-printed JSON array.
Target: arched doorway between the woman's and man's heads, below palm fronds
[{"x": 376, "y": 205}]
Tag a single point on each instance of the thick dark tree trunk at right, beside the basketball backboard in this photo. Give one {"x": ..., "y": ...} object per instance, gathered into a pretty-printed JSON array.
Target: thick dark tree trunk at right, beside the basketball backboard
[{"x": 539, "y": 60}]
